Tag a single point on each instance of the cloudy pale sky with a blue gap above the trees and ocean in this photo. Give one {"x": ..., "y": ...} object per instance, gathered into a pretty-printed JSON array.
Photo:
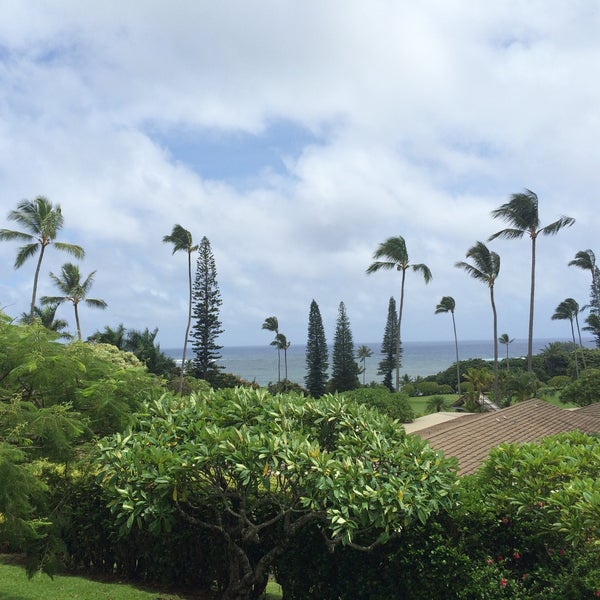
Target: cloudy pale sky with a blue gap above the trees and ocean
[{"x": 297, "y": 136}]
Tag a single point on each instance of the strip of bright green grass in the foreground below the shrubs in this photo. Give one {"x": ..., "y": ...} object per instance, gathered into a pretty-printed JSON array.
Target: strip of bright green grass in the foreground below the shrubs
[{"x": 14, "y": 585}]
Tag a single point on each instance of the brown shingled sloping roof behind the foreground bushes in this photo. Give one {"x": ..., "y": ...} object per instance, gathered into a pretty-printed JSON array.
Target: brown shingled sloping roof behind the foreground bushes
[{"x": 471, "y": 437}]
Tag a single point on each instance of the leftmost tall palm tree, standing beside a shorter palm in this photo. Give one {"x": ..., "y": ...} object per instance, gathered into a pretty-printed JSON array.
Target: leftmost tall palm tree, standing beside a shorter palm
[{"x": 42, "y": 221}]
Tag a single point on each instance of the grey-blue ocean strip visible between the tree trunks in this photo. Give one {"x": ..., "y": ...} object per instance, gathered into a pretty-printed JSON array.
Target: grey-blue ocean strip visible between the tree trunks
[{"x": 259, "y": 363}]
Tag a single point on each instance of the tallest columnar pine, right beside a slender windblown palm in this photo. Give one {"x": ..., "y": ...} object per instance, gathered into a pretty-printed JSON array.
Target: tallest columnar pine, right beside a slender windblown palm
[{"x": 206, "y": 304}]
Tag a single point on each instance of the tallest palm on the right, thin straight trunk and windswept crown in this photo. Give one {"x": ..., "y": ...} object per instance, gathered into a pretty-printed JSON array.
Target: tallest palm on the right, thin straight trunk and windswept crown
[{"x": 521, "y": 212}]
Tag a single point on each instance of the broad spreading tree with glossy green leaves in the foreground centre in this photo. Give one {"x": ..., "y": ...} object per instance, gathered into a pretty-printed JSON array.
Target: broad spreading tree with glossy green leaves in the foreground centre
[{"x": 256, "y": 470}]
